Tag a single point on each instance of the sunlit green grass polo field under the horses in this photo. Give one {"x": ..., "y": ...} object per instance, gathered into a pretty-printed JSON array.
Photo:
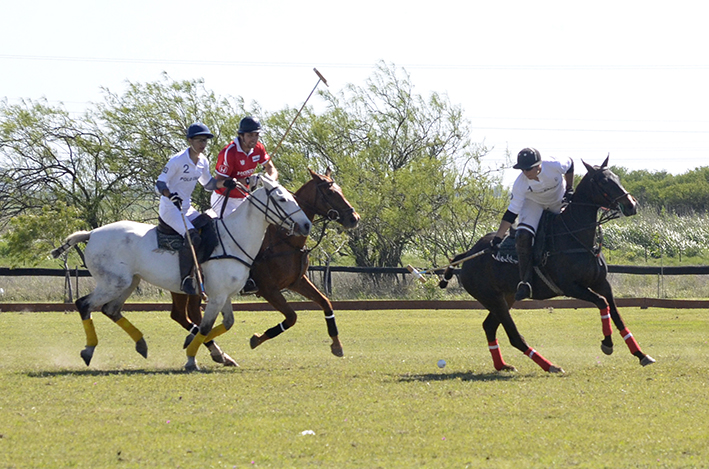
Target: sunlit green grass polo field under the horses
[{"x": 384, "y": 405}]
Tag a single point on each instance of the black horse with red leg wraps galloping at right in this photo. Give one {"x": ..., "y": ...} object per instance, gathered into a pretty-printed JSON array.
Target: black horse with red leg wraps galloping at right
[{"x": 572, "y": 265}]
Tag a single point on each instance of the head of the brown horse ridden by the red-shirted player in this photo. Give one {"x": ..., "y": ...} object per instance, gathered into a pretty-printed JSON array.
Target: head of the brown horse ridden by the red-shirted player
[{"x": 322, "y": 196}]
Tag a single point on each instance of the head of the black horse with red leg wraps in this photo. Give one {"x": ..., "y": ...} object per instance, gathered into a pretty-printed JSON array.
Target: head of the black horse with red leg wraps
[{"x": 605, "y": 190}]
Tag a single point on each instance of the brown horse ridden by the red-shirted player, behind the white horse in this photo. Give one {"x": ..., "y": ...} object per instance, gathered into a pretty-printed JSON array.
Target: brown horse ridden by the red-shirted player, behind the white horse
[{"x": 282, "y": 263}]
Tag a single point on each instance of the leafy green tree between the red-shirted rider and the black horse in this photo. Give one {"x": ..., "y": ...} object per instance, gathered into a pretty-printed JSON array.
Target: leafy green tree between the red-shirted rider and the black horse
[{"x": 405, "y": 160}]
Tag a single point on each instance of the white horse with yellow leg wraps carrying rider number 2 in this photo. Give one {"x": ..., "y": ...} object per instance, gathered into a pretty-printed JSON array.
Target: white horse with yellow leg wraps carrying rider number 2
[{"x": 120, "y": 254}]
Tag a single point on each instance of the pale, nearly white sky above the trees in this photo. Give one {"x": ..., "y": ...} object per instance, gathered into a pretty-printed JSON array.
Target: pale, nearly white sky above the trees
[{"x": 580, "y": 79}]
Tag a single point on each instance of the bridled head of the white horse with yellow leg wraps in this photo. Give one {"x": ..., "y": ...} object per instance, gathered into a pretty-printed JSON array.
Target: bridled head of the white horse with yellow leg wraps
[{"x": 280, "y": 207}]
